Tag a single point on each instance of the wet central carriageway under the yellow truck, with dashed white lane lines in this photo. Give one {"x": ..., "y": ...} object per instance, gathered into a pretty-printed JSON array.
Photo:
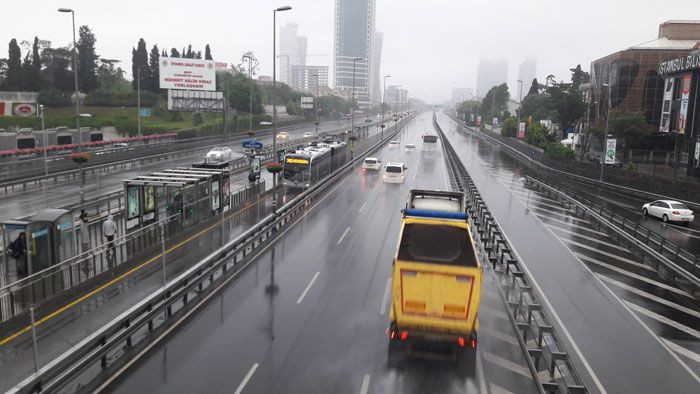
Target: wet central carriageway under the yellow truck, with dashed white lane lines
[{"x": 310, "y": 315}]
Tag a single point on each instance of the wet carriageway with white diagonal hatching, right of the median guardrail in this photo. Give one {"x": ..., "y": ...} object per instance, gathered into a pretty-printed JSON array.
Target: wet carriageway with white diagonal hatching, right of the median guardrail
[{"x": 621, "y": 315}]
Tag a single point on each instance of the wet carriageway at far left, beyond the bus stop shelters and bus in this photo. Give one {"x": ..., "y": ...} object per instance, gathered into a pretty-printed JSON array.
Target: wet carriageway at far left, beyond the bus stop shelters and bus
[{"x": 25, "y": 202}]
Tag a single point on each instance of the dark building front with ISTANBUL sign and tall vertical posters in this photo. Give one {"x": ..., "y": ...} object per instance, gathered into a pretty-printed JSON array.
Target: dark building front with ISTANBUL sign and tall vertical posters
[{"x": 680, "y": 113}]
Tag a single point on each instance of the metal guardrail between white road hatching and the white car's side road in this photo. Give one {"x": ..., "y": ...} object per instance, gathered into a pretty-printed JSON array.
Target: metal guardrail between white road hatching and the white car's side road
[{"x": 653, "y": 249}]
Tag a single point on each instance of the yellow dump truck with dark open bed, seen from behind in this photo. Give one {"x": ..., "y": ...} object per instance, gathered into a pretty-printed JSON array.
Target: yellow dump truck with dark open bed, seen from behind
[{"x": 436, "y": 280}]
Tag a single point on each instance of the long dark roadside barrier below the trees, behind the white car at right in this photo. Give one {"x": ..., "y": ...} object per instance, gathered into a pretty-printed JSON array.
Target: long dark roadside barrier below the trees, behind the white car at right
[{"x": 524, "y": 157}]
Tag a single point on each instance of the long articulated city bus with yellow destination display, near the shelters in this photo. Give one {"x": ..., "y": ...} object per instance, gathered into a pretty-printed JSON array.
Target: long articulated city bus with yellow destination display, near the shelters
[{"x": 304, "y": 167}]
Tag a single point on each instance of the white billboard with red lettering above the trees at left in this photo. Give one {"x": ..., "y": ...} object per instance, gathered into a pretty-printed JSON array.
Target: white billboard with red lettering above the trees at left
[{"x": 187, "y": 74}]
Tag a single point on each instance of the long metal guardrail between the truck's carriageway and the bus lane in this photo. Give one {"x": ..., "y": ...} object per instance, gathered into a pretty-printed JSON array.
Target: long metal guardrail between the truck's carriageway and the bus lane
[{"x": 89, "y": 362}]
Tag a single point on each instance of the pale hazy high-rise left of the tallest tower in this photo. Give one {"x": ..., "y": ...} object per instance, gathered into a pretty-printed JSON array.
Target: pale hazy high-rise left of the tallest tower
[{"x": 292, "y": 53}]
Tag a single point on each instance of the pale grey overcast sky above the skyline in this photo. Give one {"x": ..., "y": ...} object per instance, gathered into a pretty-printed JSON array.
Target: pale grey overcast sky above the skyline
[{"x": 430, "y": 46}]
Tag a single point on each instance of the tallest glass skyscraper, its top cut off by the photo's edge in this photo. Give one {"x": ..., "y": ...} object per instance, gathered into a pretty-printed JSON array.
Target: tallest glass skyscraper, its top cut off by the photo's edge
[{"x": 354, "y": 36}]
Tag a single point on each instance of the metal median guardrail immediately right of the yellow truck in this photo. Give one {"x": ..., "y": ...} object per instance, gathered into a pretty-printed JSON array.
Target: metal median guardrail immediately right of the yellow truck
[{"x": 549, "y": 364}]
